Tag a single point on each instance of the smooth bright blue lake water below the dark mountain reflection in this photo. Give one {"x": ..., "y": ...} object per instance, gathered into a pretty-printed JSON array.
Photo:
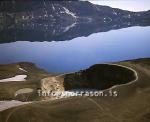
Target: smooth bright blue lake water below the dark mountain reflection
[{"x": 81, "y": 52}]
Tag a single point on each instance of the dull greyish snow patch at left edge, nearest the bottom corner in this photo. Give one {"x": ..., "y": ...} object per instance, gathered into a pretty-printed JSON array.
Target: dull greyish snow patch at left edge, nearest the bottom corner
[{"x": 9, "y": 104}]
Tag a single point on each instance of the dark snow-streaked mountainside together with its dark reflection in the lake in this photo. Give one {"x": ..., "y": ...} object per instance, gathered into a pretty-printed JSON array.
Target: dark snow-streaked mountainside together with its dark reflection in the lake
[{"x": 59, "y": 21}]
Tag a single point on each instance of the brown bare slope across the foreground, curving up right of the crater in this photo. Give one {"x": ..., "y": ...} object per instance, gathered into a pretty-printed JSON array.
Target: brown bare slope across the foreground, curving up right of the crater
[{"x": 131, "y": 105}]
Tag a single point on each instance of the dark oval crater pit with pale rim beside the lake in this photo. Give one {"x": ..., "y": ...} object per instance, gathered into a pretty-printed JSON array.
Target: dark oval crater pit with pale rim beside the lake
[{"x": 100, "y": 77}]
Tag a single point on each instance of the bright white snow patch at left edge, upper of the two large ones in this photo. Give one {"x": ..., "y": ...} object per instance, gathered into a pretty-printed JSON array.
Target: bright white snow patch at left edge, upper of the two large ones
[{"x": 16, "y": 78}]
